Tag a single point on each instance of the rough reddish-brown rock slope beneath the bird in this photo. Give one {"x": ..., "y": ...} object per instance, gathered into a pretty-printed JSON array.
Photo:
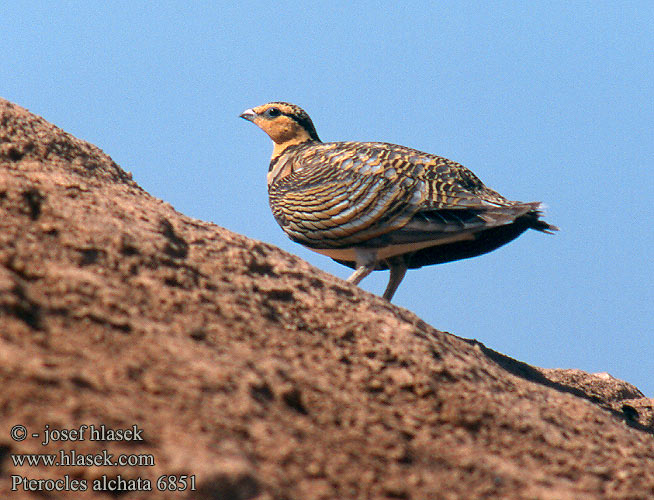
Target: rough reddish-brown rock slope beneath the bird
[{"x": 257, "y": 373}]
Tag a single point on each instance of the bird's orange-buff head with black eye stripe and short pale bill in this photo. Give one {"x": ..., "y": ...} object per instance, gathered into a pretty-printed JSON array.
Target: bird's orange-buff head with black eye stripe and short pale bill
[{"x": 286, "y": 124}]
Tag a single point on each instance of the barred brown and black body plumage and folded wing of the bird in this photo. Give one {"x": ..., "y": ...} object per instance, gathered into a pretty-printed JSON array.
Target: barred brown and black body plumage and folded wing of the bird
[{"x": 343, "y": 194}]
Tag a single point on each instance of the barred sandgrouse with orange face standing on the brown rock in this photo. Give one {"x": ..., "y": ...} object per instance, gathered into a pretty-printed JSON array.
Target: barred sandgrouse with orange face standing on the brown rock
[{"x": 376, "y": 206}]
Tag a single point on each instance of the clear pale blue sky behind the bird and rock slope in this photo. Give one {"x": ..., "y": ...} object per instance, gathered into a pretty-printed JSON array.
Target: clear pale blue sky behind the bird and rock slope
[{"x": 549, "y": 101}]
